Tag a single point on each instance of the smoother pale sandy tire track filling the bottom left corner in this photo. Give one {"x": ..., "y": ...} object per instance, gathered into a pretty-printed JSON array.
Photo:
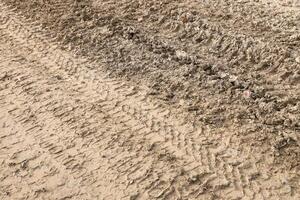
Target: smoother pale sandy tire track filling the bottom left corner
[{"x": 27, "y": 170}]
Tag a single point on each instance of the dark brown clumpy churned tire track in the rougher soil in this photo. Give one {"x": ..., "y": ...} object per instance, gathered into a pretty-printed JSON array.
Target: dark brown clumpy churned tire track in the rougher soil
[{"x": 250, "y": 98}]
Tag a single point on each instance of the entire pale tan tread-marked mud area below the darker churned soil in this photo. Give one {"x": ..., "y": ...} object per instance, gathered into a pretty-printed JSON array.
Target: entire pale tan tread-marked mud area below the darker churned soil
[{"x": 104, "y": 139}]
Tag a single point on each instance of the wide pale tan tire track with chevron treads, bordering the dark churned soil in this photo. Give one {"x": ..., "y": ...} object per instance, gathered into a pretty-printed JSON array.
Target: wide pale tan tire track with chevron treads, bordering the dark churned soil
[{"x": 73, "y": 105}]
